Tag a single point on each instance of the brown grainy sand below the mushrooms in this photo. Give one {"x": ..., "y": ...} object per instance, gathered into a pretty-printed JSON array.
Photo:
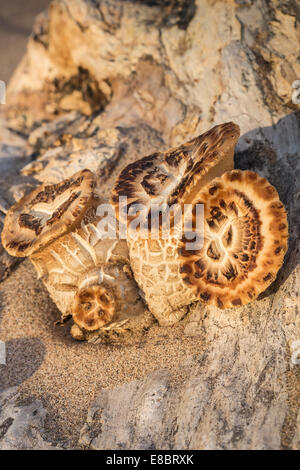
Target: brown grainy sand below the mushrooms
[{"x": 67, "y": 375}]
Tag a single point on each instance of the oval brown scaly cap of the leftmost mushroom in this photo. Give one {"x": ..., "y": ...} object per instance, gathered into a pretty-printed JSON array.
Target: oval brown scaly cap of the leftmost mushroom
[{"x": 47, "y": 213}]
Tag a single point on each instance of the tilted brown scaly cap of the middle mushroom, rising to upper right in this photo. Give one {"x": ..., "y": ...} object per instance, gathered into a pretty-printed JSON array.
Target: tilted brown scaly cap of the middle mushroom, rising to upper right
[{"x": 176, "y": 175}]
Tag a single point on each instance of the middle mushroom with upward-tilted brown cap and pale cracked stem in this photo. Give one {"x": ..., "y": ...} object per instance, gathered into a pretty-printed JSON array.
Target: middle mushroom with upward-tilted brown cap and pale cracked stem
[{"x": 163, "y": 179}]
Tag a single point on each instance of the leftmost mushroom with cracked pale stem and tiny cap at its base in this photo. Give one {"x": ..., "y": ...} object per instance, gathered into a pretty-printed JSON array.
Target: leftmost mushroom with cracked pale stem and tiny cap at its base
[{"x": 86, "y": 275}]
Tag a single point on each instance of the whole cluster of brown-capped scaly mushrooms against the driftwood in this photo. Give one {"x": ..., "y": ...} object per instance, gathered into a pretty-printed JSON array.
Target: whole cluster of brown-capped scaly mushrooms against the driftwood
[{"x": 243, "y": 236}]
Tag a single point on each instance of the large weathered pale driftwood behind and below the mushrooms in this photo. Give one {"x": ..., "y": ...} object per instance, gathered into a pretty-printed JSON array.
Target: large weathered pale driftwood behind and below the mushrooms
[{"x": 172, "y": 70}]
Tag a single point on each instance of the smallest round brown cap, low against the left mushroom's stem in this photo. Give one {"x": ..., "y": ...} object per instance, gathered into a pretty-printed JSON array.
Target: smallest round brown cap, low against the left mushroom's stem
[{"x": 93, "y": 307}]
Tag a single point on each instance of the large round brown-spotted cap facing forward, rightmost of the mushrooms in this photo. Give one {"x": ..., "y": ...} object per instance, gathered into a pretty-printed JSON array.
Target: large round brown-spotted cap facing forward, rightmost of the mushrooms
[{"x": 245, "y": 240}]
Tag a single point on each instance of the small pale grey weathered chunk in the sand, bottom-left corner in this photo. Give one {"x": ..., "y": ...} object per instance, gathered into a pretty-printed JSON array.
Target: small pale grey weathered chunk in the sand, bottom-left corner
[{"x": 21, "y": 425}]
